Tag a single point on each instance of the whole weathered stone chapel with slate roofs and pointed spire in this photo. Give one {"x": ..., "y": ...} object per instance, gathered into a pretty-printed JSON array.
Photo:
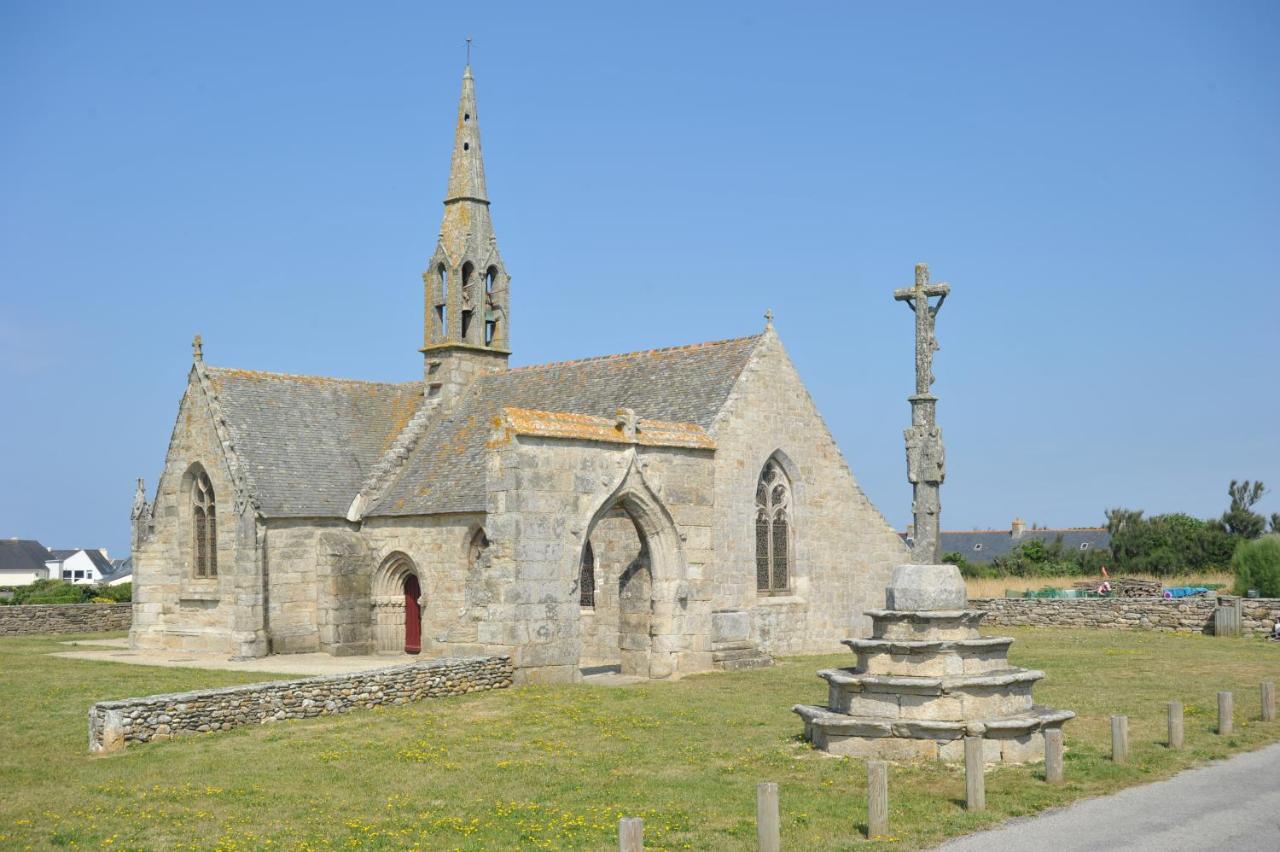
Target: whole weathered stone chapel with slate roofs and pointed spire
[{"x": 665, "y": 512}]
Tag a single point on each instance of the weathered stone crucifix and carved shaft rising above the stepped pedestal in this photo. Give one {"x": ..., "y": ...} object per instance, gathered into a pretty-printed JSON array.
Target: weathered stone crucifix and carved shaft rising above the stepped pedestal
[{"x": 925, "y": 456}]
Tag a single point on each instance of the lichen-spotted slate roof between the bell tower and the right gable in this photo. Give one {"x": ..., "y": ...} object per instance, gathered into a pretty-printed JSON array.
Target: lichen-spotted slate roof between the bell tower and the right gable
[{"x": 446, "y": 473}]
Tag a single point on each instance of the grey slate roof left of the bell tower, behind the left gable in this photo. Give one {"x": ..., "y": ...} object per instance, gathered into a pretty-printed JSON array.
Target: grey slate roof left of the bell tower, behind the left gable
[{"x": 308, "y": 442}]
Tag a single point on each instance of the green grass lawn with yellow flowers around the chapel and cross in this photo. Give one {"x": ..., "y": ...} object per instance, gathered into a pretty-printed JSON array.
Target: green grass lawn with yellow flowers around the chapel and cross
[{"x": 556, "y": 767}]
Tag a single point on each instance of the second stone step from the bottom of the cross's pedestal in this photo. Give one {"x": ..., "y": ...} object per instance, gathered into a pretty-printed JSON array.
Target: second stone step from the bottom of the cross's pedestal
[{"x": 945, "y": 699}]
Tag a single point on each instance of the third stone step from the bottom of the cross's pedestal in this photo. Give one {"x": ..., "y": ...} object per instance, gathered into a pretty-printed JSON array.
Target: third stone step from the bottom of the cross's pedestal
[{"x": 934, "y": 657}]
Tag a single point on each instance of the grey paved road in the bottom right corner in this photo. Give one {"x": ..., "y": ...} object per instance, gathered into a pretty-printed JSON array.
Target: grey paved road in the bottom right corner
[{"x": 1232, "y": 805}]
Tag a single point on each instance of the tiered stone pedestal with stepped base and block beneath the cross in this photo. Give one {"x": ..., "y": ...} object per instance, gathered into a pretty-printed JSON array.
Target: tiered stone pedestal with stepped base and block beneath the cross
[{"x": 926, "y": 680}]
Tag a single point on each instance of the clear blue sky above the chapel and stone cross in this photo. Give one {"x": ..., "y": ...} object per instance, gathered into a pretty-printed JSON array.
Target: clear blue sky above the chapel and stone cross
[{"x": 1099, "y": 182}]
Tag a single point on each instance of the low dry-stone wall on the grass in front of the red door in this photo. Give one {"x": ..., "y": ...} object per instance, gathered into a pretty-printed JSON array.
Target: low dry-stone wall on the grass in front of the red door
[{"x": 115, "y": 725}]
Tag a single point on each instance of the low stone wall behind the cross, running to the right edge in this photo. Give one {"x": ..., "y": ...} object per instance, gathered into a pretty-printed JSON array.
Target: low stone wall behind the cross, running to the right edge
[{"x": 1185, "y": 616}]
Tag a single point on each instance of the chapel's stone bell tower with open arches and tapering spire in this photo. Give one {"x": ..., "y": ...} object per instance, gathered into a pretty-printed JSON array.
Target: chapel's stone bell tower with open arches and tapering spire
[{"x": 467, "y": 286}]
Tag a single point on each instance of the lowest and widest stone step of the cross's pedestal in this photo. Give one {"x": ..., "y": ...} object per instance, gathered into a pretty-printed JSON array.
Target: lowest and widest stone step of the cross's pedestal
[{"x": 1009, "y": 739}]
